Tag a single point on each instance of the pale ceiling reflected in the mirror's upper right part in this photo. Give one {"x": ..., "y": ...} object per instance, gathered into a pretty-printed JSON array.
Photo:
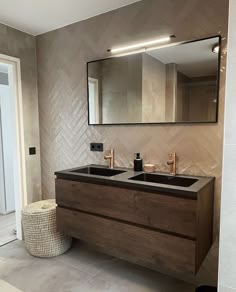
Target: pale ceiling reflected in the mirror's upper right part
[{"x": 193, "y": 59}]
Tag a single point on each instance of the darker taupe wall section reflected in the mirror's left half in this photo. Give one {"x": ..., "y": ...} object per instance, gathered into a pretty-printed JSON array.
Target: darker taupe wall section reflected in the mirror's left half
[{"x": 122, "y": 89}]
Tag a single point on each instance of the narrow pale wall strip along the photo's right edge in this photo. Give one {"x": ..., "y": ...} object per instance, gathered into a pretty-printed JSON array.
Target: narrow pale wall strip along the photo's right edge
[{"x": 227, "y": 263}]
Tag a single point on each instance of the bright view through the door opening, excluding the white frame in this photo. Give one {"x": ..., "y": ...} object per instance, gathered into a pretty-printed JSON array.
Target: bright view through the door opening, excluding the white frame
[{"x": 7, "y": 192}]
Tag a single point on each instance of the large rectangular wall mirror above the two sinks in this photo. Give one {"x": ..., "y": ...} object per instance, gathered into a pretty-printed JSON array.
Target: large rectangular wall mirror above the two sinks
[{"x": 174, "y": 84}]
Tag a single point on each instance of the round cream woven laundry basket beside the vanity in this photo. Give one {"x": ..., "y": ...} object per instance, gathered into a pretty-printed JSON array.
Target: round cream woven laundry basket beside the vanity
[{"x": 39, "y": 228}]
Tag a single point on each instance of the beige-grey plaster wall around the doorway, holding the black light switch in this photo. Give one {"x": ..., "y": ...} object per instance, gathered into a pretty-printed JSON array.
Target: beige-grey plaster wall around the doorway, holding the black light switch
[{"x": 21, "y": 45}]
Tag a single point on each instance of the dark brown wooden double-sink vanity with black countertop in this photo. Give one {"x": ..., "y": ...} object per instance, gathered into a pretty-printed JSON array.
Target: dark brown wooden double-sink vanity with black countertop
[{"x": 155, "y": 220}]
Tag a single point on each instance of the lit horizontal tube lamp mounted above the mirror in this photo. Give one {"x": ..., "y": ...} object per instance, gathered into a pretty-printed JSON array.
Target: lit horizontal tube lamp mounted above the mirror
[{"x": 143, "y": 45}]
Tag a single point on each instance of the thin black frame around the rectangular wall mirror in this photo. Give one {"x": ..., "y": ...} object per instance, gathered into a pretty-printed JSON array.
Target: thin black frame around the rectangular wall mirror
[{"x": 165, "y": 123}]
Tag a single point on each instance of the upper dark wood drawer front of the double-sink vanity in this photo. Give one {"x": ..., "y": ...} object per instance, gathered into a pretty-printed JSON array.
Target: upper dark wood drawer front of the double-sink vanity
[{"x": 172, "y": 214}]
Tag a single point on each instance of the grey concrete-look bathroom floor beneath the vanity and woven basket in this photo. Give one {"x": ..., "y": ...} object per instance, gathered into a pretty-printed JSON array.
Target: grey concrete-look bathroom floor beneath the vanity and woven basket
[{"x": 80, "y": 269}]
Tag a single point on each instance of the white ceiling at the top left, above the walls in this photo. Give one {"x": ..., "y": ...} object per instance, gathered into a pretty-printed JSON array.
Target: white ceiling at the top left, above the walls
[{"x": 37, "y": 17}]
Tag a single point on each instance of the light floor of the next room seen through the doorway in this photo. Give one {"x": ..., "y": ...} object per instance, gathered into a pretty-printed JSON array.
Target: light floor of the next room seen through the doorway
[{"x": 7, "y": 226}]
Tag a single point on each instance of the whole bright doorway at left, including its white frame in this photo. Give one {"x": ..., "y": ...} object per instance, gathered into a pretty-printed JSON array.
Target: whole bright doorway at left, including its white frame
[{"x": 13, "y": 195}]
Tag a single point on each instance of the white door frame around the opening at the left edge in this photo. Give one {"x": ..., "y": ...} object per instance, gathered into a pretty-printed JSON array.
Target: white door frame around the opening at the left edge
[{"x": 19, "y": 156}]
